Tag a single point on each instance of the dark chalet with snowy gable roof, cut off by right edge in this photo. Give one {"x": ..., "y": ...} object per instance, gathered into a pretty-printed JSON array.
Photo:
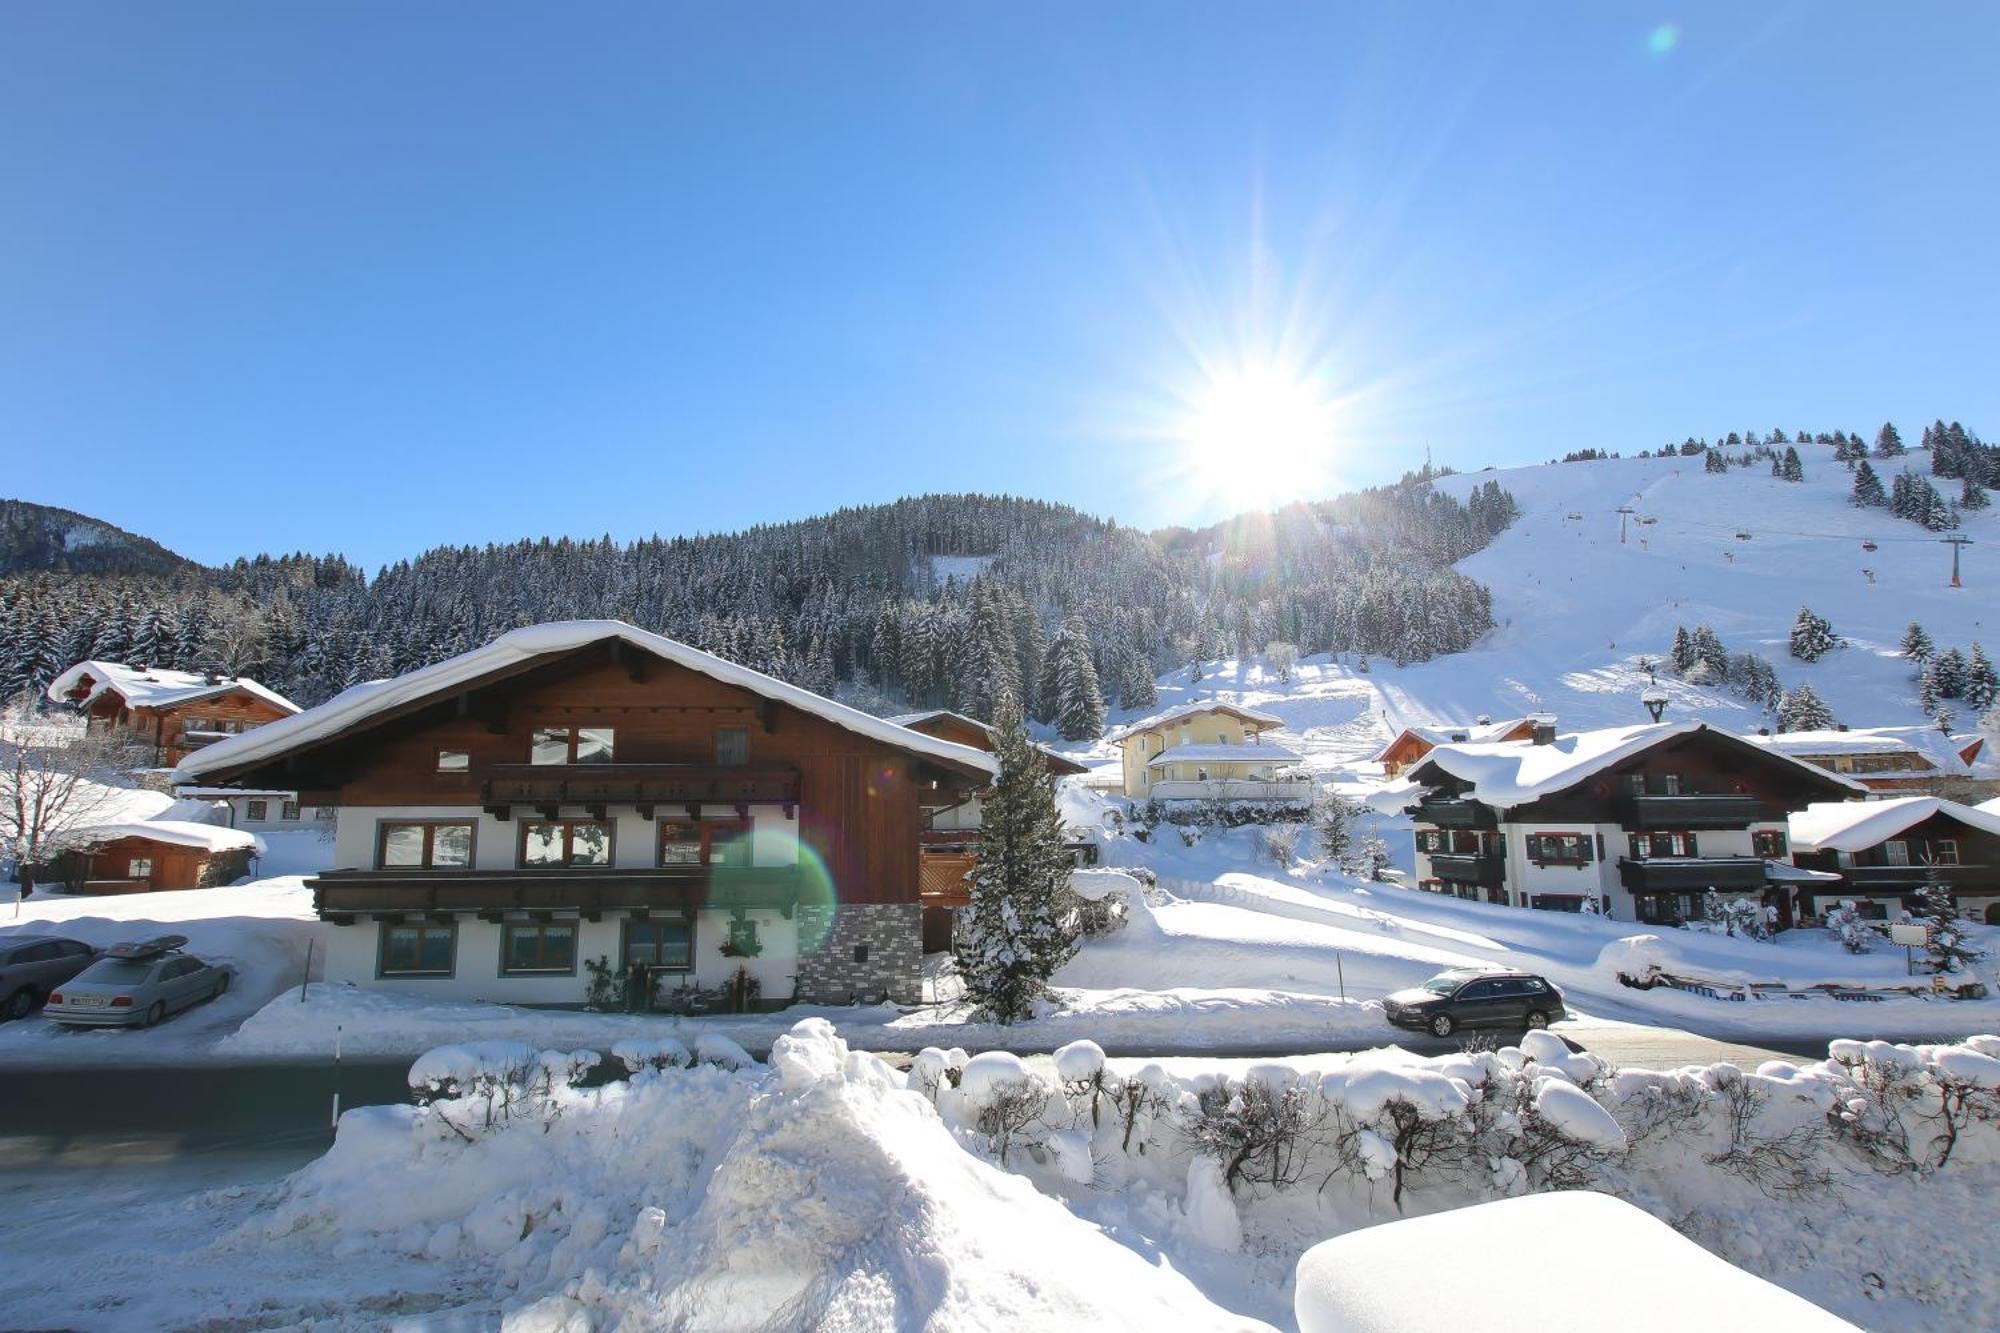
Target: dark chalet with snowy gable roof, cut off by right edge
[{"x": 1885, "y": 854}]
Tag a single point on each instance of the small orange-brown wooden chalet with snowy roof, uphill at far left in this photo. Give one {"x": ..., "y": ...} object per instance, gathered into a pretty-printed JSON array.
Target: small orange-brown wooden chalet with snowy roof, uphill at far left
[{"x": 169, "y": 712}]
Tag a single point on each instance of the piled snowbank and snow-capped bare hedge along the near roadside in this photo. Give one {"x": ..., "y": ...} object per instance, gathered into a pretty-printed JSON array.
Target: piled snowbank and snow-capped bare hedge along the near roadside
[{"x": 825, "y": 1184}]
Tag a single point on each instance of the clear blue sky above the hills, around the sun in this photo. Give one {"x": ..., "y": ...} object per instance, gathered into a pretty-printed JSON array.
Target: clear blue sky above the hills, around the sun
[{"x": 377, "y": 277}]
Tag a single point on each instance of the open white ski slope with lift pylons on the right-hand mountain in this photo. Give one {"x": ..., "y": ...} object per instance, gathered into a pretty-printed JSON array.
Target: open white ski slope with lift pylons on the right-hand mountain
[{"x": 1577, "y": 609}]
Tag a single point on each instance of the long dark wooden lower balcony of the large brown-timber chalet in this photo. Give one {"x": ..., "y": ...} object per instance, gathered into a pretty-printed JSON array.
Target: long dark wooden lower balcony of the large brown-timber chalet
[{"x": 347, "y": 894}]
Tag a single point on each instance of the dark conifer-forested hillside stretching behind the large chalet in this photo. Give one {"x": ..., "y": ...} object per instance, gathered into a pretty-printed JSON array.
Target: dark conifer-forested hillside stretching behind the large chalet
[{"x": 933, "y": 601}]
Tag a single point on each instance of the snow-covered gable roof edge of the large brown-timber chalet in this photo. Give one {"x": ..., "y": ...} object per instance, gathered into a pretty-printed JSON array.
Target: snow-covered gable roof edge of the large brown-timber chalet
[{"x": 361, "y": 704}]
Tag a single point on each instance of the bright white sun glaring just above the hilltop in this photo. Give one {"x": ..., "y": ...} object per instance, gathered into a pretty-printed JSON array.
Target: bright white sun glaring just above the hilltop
[{"x": 1259, "y": 437}]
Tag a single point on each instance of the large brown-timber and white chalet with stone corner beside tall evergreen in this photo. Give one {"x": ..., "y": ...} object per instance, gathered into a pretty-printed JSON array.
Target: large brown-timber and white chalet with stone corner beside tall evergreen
[{"x": 593, "y": 792}]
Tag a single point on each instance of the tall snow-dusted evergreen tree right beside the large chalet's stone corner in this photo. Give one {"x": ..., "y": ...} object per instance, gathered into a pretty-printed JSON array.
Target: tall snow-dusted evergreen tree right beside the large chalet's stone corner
[{"x": 1023, "y": 924}]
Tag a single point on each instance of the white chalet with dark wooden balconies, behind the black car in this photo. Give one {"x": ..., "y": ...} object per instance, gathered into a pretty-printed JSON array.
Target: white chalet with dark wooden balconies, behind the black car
[{"x": 1641, "y": 820}]
